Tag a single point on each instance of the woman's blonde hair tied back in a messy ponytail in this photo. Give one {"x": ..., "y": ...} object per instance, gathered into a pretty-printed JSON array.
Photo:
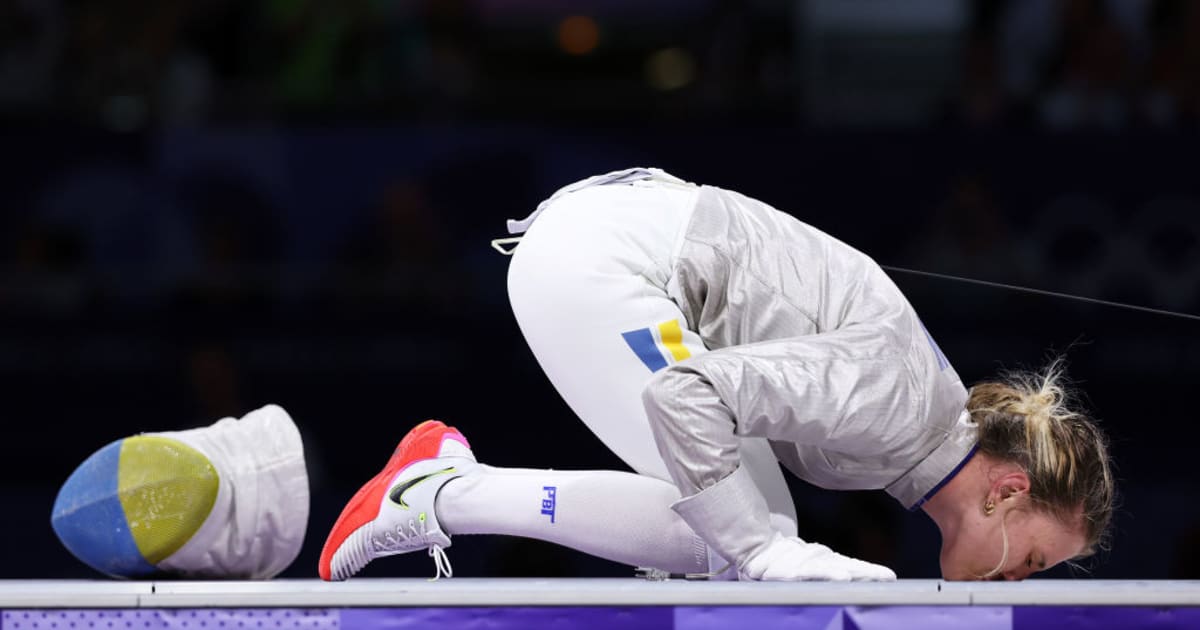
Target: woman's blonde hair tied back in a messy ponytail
[{"x": 1028, "y": 419}]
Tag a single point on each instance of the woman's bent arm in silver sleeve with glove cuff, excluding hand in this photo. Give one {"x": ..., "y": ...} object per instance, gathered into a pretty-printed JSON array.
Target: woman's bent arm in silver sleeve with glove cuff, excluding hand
[{"x": 807, "y": 391}]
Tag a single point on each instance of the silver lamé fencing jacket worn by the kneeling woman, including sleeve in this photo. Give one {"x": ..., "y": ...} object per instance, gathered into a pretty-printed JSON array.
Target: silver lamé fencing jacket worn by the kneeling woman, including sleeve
[{"x": 814, "y": 349}]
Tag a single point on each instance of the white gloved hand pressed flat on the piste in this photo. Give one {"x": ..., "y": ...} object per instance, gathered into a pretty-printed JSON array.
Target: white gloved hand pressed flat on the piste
[{"x": 794, "y": 560}]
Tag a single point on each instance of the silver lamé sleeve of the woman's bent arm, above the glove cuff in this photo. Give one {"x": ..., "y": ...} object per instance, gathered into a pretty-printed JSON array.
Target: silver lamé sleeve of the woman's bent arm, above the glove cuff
[{"x": 826, "y": 391}]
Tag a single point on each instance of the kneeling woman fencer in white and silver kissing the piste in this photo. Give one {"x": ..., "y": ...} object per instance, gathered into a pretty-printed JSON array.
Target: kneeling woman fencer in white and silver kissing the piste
[{"x": 707, "y": 338}]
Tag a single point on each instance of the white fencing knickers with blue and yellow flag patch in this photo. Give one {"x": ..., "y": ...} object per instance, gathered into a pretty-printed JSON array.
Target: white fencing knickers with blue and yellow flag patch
[{"x": 590, "y": 286}]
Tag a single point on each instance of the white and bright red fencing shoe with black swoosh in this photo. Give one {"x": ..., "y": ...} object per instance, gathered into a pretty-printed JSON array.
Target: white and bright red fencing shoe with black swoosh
[{"x": 394, "y": 512}]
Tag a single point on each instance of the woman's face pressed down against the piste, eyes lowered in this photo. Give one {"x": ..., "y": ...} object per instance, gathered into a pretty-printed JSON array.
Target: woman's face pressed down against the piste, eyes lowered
[{"x": 1036, "y": 542}]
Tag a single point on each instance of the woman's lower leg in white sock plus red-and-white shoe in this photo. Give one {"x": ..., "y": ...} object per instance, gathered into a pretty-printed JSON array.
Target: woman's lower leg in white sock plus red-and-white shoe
[{"x": 433, "y": 489}]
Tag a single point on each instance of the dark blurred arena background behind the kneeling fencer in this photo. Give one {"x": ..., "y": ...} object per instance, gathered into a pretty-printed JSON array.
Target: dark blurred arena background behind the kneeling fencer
[{"x": 211, "y": 205}]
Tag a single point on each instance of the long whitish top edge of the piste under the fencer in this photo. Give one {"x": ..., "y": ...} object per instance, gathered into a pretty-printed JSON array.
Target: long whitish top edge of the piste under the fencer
[{"x": 585, "y": 592}]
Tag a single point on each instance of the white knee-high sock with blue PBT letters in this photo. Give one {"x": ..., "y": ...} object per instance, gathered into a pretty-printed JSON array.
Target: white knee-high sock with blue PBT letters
[{"x": 619, "y": 517}]
